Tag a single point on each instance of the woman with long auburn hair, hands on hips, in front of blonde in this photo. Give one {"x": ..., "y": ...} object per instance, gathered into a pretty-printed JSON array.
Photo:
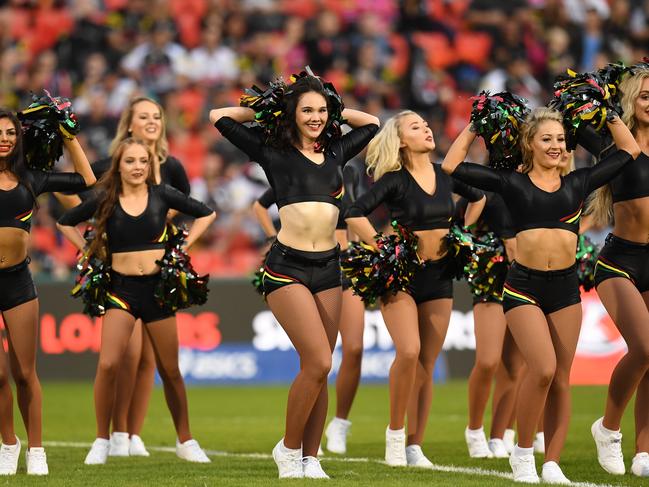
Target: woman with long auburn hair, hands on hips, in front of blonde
[{"x": 131, "y": 211}]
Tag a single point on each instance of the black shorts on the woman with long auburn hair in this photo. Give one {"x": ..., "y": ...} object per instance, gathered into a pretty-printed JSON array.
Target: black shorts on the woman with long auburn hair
[{"x": 135, "y": 295}]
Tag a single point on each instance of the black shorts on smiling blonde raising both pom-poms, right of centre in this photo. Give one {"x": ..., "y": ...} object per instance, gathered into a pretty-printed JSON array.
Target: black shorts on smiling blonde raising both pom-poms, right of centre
[{"x": 549, "y": 290}]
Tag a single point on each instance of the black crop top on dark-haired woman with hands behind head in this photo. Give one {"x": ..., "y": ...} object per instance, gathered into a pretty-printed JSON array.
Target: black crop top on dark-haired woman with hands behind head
[{"x": 292, "y": 175}]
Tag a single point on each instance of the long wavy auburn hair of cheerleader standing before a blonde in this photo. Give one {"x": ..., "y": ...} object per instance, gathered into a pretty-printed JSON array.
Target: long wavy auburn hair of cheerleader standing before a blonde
[{"x": 109, "y": 188}]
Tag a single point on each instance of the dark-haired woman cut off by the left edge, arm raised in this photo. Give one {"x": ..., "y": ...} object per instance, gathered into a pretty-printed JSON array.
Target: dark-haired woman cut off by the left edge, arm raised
[{"x": 19, "y": 188}]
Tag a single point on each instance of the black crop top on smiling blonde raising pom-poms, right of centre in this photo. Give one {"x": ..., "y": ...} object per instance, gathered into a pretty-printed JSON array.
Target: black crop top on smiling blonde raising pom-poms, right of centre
[{"x": 530, "y": 206}]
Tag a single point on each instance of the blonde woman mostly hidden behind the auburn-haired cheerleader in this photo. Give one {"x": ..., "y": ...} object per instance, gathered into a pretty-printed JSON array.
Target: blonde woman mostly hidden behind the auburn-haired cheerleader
[{"x": 143, "y": 119}]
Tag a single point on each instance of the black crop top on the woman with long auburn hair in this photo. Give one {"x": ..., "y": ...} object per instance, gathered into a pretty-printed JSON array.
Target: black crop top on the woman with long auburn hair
[{"x": 127, "y": 233}]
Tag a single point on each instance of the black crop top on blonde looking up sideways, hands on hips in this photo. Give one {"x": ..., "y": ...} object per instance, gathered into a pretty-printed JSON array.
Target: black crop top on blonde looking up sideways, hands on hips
[{"x": 409, "y": 204}]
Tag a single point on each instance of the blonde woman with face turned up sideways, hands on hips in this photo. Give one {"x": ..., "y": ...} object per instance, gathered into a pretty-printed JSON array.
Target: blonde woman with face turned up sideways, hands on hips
[{"x": 419, "y": 196}]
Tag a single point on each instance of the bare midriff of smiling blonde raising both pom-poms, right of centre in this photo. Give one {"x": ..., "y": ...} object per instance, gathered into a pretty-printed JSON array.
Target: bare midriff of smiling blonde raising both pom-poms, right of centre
[{"x": 546, "y": 249}]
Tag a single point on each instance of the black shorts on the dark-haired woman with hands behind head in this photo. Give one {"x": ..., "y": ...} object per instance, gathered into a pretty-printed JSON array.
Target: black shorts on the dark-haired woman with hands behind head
[{"x": 318, "y": 271}]
